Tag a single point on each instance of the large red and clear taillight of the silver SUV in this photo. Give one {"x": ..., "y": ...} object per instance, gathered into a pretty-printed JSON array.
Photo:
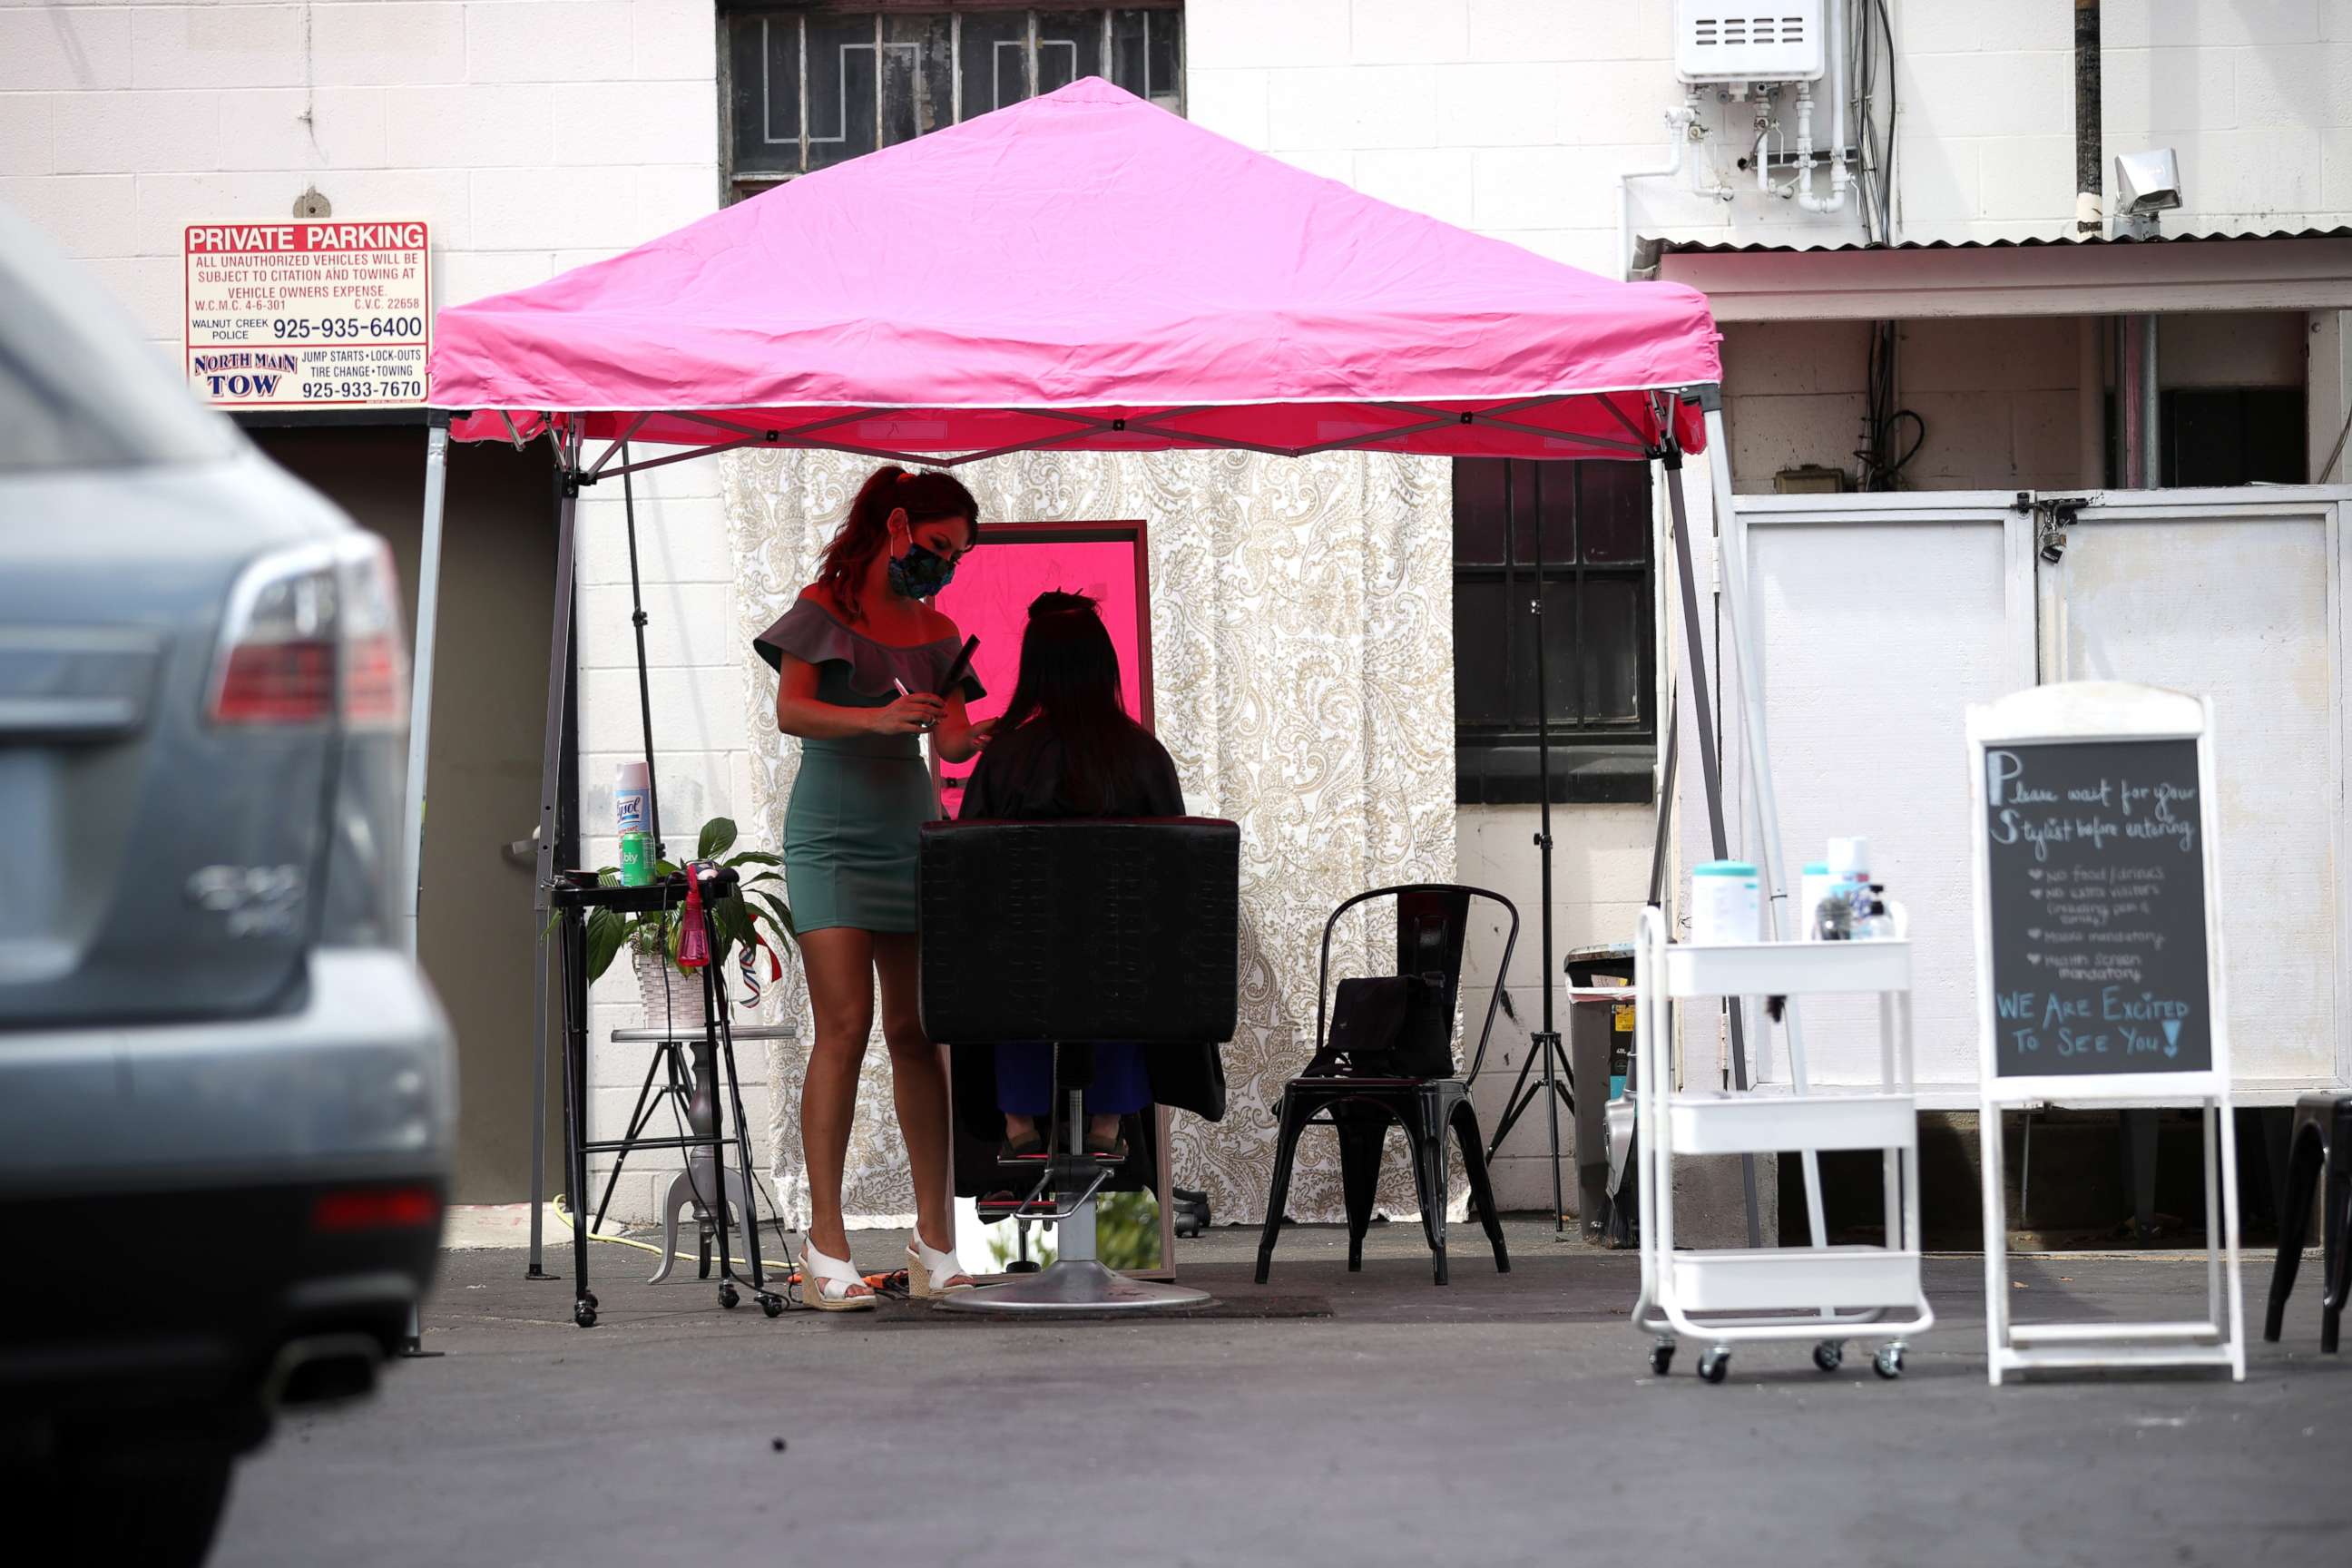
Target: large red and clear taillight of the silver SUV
[{"x": 314, "y": 636}]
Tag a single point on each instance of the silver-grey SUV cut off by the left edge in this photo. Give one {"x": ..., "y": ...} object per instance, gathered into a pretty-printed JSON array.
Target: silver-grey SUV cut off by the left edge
[{"x": 225, "y": 1087}]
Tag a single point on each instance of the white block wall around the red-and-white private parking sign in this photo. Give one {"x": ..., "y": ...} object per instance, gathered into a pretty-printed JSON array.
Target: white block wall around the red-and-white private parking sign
[{"x": 535, "y": 135}]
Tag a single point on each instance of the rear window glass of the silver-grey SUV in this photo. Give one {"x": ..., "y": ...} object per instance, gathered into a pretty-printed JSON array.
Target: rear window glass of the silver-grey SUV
[{"x": 79, "y": 389}]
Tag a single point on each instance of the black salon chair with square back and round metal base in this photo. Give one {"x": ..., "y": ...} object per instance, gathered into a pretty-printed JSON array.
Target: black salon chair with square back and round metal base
[{"x": 1076, "y": 932}]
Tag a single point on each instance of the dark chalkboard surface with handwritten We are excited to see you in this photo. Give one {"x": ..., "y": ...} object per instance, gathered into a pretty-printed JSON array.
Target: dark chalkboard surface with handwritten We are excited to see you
[{"x": 2097, "y": 902}]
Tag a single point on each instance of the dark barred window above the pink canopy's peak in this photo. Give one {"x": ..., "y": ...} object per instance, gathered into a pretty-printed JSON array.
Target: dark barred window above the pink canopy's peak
[{"x": 813, "y": 86}]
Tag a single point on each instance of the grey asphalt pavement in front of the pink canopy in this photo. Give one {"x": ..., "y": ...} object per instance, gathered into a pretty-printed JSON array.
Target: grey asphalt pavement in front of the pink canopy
[{"x": 1323, "y": 1419}]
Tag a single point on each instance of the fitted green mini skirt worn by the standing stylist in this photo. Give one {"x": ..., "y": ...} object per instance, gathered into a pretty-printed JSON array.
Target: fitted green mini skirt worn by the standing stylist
[{"x": 853, "y": 833}]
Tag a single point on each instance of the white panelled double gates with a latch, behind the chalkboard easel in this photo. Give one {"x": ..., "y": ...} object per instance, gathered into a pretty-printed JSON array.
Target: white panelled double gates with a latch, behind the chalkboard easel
[{"x": 1883, "y": 617}]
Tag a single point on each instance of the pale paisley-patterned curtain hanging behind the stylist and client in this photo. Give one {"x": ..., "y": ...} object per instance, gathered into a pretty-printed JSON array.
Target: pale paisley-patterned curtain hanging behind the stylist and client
[{"x": 1304, "y": 685}]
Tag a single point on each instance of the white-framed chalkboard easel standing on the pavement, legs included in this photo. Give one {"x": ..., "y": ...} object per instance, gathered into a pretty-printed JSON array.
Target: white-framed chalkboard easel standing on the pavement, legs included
[{"x": 2064, "y": 753}]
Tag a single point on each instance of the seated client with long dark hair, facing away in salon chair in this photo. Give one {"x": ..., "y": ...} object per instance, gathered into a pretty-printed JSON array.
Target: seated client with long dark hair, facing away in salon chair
[{"x": 1067, "y": 749}]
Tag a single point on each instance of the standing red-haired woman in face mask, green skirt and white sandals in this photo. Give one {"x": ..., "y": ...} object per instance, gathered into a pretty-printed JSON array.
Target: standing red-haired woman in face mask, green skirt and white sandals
[{"x": 860, "y": 659}]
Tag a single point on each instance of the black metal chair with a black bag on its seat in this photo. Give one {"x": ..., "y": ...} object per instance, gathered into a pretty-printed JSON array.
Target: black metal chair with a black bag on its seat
[{"x": 1434, "y": 923}]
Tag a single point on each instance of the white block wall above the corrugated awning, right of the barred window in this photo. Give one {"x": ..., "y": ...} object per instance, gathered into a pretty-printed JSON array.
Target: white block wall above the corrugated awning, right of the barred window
[{"x": 1516, "y": 116}]
